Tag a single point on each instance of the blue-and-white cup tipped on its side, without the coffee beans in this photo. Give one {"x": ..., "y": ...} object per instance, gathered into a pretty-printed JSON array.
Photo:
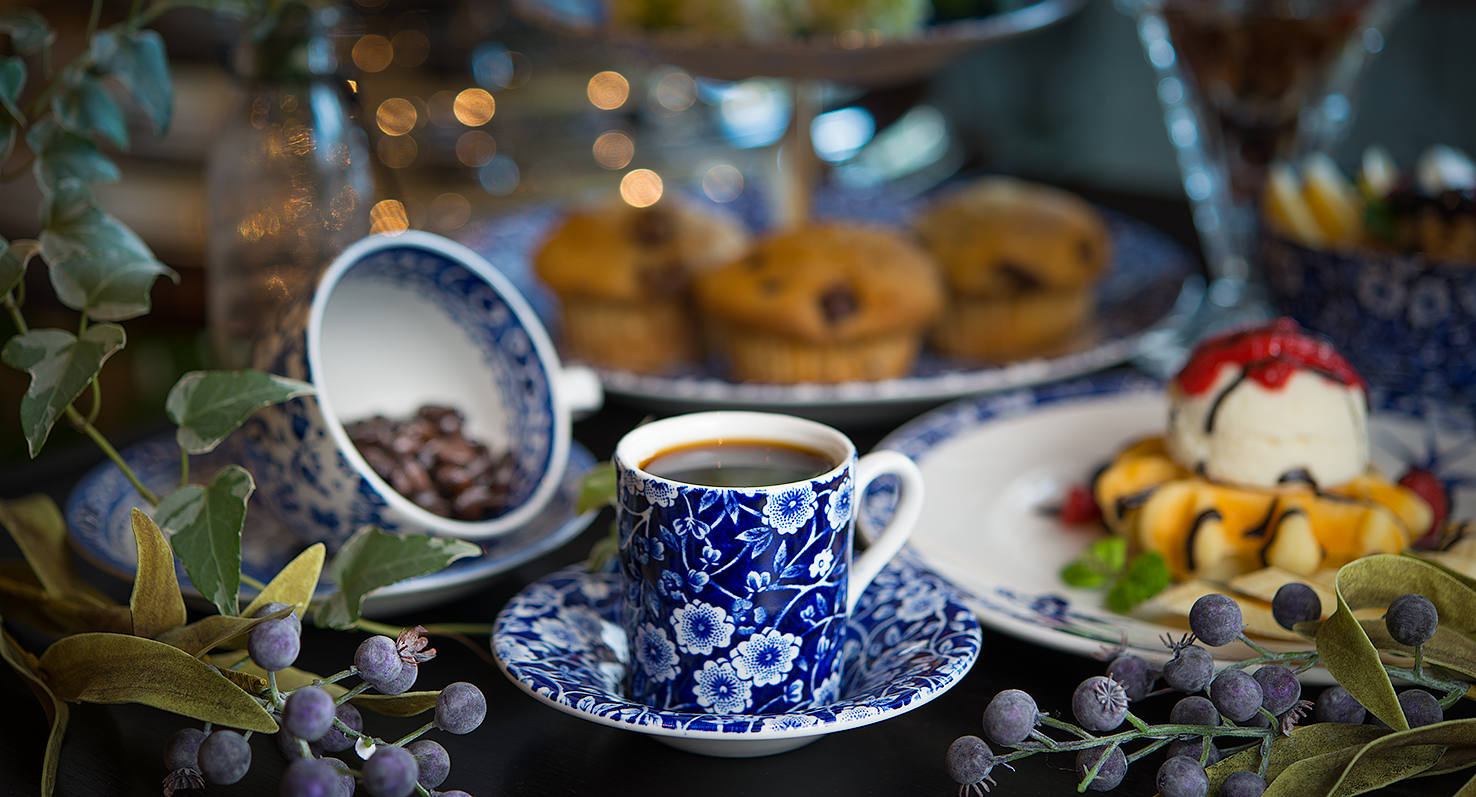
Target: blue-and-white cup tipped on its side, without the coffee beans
[{"x": 399, "y": 322}]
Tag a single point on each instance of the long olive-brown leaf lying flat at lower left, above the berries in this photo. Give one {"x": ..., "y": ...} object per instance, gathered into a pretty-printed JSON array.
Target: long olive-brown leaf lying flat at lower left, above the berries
[{"x": 114, "y": 668}]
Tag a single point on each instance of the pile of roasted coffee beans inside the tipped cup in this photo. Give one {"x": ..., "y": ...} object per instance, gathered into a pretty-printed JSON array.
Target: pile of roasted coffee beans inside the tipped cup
[{"x": 430, "y": 461}]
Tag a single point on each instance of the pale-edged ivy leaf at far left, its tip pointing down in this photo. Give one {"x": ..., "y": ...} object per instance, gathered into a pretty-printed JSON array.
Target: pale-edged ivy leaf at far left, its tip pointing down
[{"x": 61, "y": 367}]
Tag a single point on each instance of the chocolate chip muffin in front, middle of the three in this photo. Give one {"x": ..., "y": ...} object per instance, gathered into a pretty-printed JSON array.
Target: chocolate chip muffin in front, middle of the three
[{"x": 823, "y": 305}]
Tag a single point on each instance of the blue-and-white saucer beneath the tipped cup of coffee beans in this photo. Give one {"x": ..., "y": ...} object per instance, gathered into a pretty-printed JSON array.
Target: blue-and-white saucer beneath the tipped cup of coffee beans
[{"x": 100, "y": 510}]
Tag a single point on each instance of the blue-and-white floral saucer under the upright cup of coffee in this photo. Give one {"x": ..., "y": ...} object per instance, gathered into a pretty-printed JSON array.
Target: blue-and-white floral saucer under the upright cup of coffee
[{"x": 910, "y": 640}]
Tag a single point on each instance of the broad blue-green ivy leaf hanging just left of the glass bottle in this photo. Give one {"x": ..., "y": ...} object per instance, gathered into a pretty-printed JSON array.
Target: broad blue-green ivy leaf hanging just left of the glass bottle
[{"x": 98, "y": 265}]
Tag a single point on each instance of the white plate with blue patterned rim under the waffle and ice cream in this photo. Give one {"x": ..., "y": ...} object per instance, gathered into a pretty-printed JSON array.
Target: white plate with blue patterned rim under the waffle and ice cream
[{"x": 996, "y": 463}]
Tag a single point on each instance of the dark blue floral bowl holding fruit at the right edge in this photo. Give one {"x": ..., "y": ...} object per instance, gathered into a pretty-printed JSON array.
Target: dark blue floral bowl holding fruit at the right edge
[{"x": 1406, "y": 322}]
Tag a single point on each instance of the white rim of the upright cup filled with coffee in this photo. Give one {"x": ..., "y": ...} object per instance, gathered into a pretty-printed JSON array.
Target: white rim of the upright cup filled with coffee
[{"x": 641, "y": 444}]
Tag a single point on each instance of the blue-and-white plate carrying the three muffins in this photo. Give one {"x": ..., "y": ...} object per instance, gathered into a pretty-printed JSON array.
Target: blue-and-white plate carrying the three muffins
[{"x": 1145, "y": 290}]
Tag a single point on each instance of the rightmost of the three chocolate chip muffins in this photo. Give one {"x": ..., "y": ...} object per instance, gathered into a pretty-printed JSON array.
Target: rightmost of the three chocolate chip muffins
[{"x": 1021, "y": 262}]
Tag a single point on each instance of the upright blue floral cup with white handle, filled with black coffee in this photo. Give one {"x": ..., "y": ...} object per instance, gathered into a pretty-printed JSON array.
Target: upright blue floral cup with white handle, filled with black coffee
[{"x": 736, "y": 559}]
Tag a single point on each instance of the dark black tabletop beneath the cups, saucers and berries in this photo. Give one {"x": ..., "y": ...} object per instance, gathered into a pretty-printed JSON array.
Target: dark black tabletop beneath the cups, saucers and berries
[{"x": 529, "y": 749}]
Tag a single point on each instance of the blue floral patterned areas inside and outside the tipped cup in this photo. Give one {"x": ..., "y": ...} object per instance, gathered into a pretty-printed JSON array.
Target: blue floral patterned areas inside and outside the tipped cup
[{"x": 302, "y": 476}]
